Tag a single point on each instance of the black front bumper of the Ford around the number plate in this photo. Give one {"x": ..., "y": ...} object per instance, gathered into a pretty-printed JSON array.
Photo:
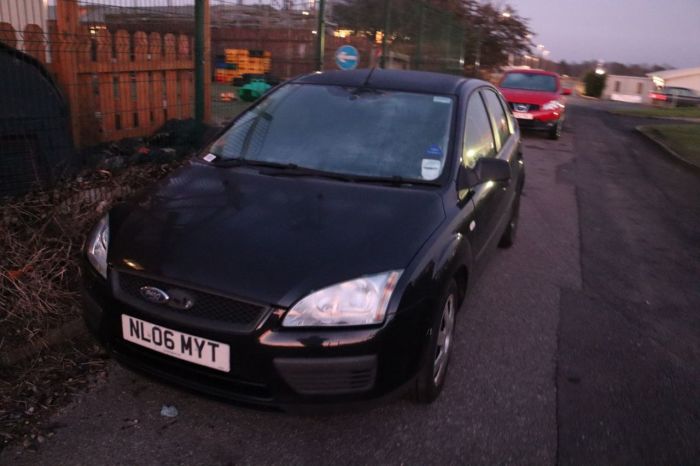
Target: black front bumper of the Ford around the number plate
[{"x": 272, "y": 365}]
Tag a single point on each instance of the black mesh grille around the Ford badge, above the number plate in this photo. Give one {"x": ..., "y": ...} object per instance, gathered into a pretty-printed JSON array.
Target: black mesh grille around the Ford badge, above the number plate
[{"x": 207, "y": 306}]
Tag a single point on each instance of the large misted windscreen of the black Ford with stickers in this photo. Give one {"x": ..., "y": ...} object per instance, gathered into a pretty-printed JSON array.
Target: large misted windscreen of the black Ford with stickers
[{"x": 350, "y": 131}]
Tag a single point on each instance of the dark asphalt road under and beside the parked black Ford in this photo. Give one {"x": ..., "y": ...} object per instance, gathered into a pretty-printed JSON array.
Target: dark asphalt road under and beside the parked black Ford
[{"x": 580, "y": 345}]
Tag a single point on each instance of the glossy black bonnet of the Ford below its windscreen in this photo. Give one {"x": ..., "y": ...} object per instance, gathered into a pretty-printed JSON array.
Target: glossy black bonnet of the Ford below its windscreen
[{"x": 270, "y": 239}]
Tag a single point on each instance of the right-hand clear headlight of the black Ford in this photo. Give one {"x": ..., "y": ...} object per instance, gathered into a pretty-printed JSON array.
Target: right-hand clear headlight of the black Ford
[{"x": 356, "y": 302}]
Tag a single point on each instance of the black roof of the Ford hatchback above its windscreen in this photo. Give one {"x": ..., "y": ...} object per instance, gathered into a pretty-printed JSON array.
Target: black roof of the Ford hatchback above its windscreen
[{"x": 399, "y": 80}]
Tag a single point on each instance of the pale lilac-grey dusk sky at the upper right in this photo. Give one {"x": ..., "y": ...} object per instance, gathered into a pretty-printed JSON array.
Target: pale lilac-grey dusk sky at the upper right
[{"x": 626, "y": 31}]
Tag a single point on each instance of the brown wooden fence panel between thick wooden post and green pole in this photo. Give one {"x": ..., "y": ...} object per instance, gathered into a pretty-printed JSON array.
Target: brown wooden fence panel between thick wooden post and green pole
[{"x": 138, "y": 88}]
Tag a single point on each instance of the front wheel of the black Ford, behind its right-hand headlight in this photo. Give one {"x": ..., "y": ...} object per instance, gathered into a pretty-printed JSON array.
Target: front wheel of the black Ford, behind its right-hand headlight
[{"x": 433, "y": 373}]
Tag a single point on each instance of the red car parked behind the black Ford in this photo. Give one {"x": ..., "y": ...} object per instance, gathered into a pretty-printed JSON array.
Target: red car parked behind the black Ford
[{"x": 535, "y": 98}]
